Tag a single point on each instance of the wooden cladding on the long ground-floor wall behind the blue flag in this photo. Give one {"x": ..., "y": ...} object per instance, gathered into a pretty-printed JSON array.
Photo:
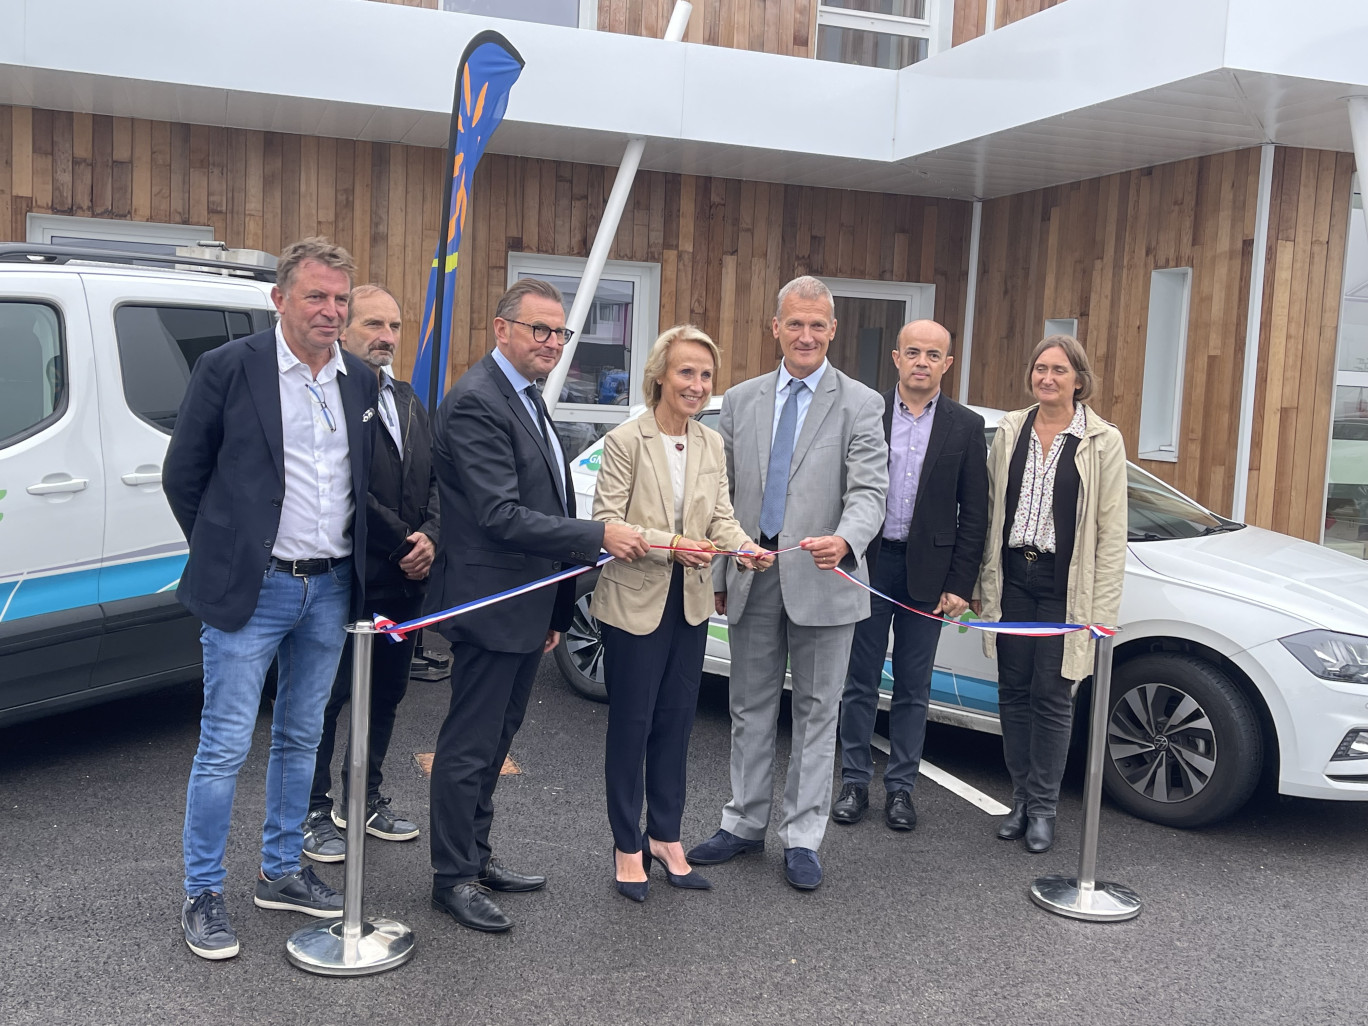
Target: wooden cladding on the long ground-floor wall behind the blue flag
[{"x": 724, "y": 247}]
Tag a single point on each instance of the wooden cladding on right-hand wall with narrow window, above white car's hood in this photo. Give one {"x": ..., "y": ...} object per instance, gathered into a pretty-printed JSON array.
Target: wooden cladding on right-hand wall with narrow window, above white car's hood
[{"x": 1087, "y": 251}]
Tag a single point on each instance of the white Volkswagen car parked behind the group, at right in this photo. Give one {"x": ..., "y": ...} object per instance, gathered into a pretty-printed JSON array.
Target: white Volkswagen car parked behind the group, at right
[{"x": 1240, "y": 649}]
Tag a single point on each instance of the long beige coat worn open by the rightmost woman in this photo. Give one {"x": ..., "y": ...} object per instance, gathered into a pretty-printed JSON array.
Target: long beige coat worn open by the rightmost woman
[{"x": 1099, "y": 563}]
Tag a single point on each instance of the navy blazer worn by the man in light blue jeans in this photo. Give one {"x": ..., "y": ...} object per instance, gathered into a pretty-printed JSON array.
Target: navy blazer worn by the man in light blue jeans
[{"x": 225, "y": 474}]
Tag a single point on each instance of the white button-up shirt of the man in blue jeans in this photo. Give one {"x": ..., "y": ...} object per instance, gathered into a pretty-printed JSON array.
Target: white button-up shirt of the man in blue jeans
[{"x": 318, "y": 507}]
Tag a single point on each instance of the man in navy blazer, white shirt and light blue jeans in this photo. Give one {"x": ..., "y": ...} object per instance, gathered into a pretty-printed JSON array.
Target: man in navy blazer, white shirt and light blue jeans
[{"x": 266, "y": 473}]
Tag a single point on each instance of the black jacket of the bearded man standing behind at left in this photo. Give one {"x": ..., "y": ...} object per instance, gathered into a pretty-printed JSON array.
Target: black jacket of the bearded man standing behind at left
[{"x": 403, "y": 500}]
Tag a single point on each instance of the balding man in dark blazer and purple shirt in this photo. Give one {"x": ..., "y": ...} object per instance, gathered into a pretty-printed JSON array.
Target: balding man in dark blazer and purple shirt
[{"x": 925, "y": 557}]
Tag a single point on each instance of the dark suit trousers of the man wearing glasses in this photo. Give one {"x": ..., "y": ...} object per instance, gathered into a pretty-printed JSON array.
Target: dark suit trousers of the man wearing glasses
[{"x": 489, "y": 701}]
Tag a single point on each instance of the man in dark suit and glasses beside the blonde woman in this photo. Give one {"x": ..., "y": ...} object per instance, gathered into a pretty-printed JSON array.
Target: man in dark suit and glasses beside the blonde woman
[{"x": 508, "y": 519}]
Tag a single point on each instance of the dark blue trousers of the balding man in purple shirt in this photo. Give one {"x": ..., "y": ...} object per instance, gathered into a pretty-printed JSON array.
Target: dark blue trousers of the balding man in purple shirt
[{"x": 915, "y": 653}]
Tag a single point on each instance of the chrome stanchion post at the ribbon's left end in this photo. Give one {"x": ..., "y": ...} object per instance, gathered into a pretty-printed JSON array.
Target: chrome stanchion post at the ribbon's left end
[{"x": 352, "y": 946}]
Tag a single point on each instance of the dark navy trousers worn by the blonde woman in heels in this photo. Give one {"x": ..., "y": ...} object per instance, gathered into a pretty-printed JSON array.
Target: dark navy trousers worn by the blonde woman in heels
[{"x": 652, "y": 698}]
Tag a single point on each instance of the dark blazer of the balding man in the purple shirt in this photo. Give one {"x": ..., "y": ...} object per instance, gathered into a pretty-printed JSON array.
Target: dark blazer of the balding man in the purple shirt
[{"x": 950, "y": 519}]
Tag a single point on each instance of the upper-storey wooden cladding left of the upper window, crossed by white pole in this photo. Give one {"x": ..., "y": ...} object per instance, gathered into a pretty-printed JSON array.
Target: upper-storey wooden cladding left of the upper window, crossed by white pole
[{"x": 772, "y": 27}]
